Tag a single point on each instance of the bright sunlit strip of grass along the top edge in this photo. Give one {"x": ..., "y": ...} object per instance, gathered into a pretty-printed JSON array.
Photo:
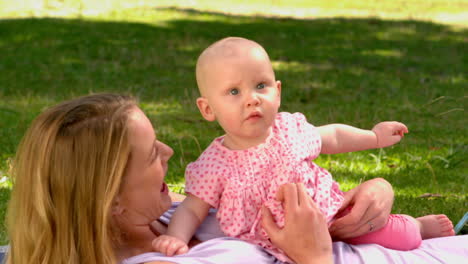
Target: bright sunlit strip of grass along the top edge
[{"x": 442, "y": 11}]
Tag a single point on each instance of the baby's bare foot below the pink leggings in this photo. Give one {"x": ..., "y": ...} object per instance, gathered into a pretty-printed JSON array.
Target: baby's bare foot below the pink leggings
[{"x": 435, "y": 226}]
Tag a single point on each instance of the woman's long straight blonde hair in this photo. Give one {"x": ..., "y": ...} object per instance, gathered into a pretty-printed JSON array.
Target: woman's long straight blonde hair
[{"x": 67, "y": 172}]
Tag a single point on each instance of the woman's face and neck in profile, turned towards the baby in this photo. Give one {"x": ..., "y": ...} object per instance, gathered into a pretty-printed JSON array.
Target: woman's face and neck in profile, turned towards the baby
[{"x": 144, "y": 196}]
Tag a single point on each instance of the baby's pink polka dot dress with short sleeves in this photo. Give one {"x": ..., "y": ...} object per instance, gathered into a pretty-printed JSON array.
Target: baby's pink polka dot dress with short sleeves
[{"x": 239, "y": 182}]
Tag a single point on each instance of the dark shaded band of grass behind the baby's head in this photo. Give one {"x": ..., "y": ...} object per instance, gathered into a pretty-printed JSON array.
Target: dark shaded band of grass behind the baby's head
[{"x": 355, "y": 71}]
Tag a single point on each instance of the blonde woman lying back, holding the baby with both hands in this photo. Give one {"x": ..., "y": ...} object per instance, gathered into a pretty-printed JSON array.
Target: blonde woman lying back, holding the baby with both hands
[{"x": 89, "y": 183}]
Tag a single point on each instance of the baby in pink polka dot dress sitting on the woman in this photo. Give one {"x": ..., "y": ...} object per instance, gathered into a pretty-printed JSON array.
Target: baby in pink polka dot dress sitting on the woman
[{"x": 263, "y": 149}]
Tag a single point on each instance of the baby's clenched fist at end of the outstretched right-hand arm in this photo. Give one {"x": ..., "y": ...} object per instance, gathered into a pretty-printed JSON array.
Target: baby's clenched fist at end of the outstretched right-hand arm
[{"x": 389, "y": 133}]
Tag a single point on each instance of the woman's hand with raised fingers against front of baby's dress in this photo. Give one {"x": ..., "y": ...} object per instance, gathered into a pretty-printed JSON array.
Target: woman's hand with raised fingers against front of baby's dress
[{"x": 304, "y": 237}]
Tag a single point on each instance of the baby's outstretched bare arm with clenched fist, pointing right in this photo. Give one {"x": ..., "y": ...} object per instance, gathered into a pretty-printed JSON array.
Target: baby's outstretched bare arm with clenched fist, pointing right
[{"x": 339, "y": 138}]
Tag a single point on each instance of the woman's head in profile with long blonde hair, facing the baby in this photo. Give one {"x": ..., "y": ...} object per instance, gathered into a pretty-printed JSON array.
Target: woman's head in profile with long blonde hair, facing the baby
[{"x": 88, "y": 182}]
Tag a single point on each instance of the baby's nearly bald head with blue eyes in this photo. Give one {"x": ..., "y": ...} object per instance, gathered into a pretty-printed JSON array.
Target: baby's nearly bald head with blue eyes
[{"x": 236, "y": 79}]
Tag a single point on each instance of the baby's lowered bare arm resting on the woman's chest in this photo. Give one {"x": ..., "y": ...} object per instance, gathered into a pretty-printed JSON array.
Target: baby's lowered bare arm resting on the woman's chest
[{"x": 185, "y": 221}]
